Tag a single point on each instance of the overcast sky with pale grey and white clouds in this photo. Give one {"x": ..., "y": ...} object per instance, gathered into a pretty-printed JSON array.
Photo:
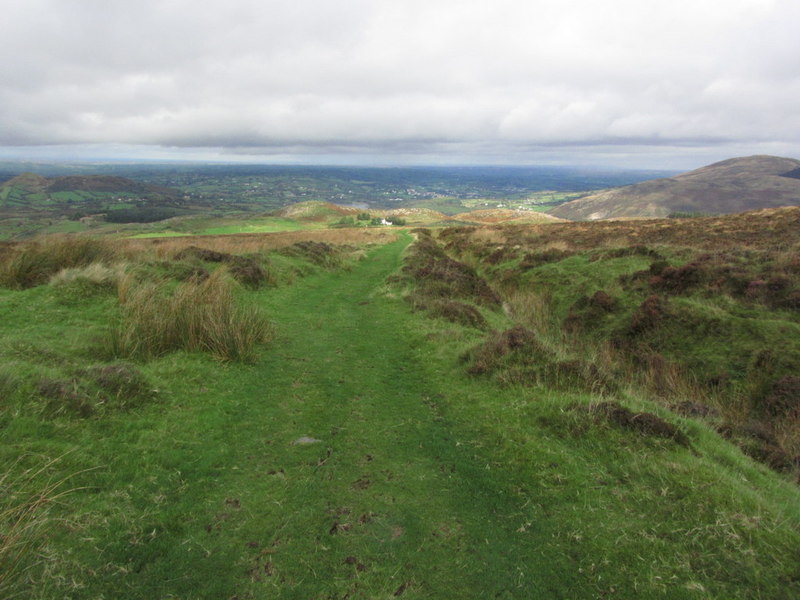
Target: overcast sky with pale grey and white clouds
[{"x": 650, "y": 83}]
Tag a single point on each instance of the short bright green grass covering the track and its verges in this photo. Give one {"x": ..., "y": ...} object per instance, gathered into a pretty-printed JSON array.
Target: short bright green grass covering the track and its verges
[{"x": 425, "y": 482}]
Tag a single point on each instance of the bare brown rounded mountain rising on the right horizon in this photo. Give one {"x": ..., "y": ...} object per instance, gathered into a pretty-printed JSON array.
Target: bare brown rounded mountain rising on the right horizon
[{"x": 731, "y": 186}]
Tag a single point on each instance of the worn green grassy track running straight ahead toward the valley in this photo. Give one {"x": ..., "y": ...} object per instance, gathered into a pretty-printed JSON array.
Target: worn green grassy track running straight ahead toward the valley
[{"x": 387, "y": 502}]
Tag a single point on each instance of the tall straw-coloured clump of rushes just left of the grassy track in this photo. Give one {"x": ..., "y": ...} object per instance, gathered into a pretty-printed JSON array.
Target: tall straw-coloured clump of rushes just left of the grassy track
[{"x": 197, "y": 315}]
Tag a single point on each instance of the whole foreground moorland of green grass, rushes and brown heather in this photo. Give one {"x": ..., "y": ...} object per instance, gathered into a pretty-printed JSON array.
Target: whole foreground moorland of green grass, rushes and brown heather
[{"x": 475, "y": 407}]
